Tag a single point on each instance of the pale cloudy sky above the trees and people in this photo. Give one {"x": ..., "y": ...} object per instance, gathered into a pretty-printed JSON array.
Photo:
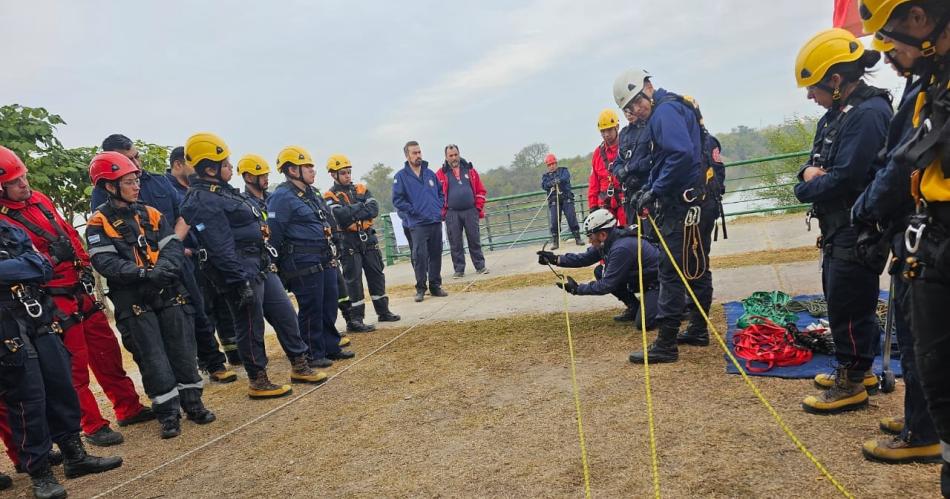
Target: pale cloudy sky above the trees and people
[{"x": 362, "y": 78}]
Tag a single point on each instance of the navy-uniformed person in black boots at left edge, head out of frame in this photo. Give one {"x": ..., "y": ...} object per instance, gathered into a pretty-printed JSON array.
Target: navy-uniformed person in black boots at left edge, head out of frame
[{"x": 35, "y": 381}]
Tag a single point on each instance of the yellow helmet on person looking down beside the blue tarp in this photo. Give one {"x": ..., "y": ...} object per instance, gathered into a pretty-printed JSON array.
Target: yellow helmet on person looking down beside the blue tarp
[{"x": 824, "y": 50}]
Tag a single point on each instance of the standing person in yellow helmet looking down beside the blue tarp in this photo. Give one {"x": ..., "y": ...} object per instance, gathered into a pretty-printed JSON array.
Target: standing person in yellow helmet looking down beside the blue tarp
[{"x": 845, "y": 156}]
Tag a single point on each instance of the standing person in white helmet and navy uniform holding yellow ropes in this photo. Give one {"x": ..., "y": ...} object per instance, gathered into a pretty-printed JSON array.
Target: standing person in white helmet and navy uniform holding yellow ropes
[{"x": 677, "y": 190}]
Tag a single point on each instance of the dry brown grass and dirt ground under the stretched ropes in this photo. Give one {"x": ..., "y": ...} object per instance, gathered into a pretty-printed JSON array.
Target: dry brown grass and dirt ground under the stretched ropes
[{"x": 485, "y": 409}]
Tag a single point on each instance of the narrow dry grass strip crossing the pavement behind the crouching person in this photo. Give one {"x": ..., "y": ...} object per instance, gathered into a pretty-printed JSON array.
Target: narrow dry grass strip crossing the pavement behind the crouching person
[{"x": 770, "y": 257}]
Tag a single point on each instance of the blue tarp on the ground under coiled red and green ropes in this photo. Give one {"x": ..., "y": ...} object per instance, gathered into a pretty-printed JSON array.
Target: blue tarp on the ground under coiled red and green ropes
[{"x": 818, "y": 364}]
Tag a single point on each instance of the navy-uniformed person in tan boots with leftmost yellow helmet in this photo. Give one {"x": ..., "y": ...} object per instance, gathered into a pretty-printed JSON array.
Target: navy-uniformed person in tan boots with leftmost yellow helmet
[{"x": 238, "y": 261}]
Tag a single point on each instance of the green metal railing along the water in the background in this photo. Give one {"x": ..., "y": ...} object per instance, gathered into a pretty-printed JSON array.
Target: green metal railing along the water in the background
[{"x": 523, "y": 218}]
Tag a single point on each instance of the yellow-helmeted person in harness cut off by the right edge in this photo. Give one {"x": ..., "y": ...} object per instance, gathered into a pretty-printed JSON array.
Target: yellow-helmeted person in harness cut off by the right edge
[{"x": 920, "y": 33}]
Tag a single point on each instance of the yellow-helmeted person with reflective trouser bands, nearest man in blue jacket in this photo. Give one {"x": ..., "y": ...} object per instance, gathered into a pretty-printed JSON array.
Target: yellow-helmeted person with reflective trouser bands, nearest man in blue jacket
[{"x": 354, "y": 208}]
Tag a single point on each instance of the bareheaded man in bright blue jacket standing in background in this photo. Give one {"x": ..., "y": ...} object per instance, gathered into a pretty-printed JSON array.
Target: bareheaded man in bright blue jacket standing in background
[{"x": 418, "y": 194}]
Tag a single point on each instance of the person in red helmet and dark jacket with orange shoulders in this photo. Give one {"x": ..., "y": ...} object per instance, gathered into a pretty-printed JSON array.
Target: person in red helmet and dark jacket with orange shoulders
[{"x": 133, "y": 247}]
